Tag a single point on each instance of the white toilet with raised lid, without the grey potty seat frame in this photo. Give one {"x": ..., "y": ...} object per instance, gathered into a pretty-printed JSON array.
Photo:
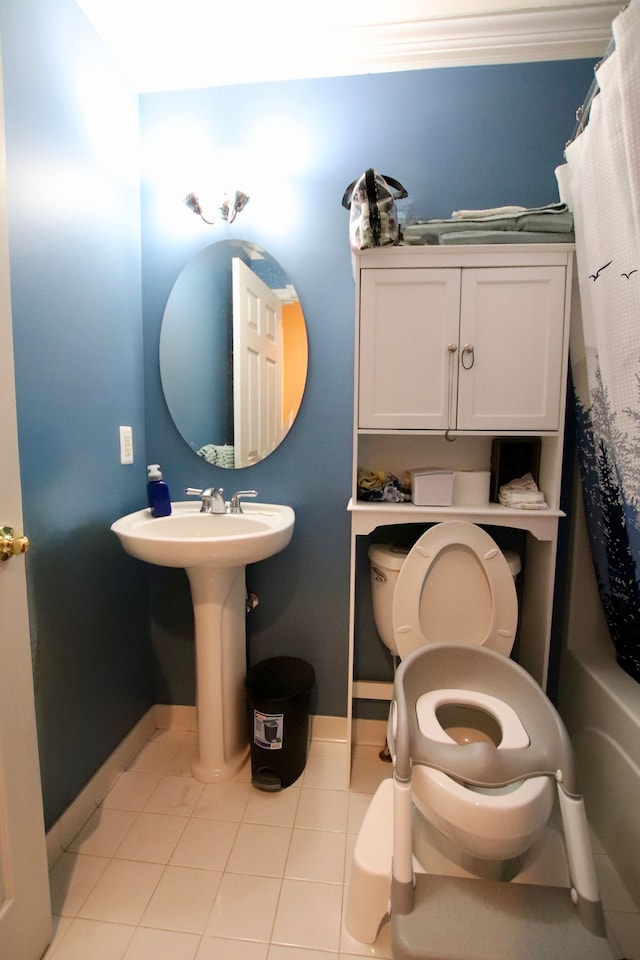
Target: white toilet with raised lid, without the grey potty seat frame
[{"x": 456, "y": 586}]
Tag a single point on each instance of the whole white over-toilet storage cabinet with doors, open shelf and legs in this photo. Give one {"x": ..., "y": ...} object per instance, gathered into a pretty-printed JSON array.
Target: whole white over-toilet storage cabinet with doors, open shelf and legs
[{"x": 456, "y": 346}]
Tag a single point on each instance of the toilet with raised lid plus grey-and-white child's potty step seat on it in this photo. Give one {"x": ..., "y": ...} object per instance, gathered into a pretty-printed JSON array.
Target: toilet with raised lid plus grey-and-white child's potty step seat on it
[{"x": 455, "y": 589}]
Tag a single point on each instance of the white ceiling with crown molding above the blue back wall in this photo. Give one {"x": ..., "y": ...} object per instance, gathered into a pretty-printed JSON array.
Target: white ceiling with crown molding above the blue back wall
[{"x": 155, "y": 55}]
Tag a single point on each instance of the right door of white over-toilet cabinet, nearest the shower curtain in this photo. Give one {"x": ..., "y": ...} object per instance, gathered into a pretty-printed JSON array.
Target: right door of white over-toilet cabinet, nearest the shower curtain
[{"x": 511, "y": 349}]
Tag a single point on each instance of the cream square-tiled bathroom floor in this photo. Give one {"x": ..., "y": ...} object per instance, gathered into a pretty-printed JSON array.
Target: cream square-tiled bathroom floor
[{"x": 172, "y": 869}]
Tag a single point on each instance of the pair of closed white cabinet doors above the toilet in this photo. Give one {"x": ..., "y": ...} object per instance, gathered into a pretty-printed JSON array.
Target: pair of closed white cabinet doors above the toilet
[{"x": 461, "y": 348}]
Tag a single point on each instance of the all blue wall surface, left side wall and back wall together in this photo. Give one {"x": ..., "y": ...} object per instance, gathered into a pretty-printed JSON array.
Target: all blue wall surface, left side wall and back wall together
[{"x": 89, "y": 283}]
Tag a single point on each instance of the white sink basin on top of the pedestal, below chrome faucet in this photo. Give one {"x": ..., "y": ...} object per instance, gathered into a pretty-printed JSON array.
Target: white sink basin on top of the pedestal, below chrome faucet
[{"x": 189, "y": 538}]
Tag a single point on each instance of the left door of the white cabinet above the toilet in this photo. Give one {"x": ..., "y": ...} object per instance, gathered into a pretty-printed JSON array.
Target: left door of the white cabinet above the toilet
[{"x": 408, "y": 320}]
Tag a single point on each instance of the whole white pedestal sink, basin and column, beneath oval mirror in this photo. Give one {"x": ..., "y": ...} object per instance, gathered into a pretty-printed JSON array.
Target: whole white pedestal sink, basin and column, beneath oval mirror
[{"x": 214, "y": 549}]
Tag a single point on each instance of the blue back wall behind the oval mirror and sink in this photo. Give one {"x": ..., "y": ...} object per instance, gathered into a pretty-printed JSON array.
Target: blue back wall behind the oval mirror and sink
[{"x": 456, "y": 138}]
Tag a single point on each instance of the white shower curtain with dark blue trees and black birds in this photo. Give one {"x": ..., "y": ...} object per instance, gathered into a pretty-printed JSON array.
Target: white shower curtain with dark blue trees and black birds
[{"x": 601, "y": 183}]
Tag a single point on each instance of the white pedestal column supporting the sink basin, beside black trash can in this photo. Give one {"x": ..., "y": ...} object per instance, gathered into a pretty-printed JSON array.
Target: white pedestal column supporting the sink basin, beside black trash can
[{"x": 219, "y": 605}]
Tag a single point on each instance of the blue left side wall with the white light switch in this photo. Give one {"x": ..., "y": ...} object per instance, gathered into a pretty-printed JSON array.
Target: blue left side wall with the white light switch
[{"x": 74, "y": 232}]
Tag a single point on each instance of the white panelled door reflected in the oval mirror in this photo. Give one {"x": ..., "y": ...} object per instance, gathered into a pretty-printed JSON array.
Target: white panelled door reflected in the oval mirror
[{"x": 257, "y": 366}]
